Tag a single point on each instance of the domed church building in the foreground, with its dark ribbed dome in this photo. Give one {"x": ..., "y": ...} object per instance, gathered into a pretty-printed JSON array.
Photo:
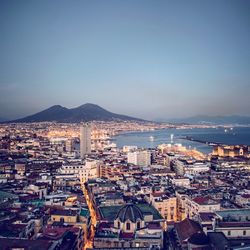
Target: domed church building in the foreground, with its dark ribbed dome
[{"x": 131, "y": 229}]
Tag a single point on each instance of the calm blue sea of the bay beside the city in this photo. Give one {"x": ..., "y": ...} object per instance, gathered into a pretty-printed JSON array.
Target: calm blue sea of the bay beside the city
[{"x": 151, "y": 139}]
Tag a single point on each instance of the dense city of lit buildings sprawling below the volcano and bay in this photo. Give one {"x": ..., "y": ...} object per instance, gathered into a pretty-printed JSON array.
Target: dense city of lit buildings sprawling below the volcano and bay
[{"x": 68, "y": 186}]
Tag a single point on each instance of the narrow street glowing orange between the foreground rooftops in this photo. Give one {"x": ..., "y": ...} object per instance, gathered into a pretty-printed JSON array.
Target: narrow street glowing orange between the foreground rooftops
[{"x": 91, "y": 232}]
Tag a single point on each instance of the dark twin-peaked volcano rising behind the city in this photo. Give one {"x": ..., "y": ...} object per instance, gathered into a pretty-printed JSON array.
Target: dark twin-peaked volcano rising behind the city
[{"x": 83, "y": 113}]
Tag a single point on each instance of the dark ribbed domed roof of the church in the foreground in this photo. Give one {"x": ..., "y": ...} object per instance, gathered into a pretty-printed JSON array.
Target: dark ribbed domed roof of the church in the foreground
[{"x": 129, "y": 212}]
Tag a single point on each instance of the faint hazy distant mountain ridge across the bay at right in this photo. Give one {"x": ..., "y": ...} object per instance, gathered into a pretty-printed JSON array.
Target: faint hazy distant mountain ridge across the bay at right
[{"x": 203, "y": 119}]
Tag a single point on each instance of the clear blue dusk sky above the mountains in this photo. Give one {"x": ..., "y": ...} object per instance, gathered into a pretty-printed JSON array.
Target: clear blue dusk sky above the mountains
[{"x": 149, "y": 59}]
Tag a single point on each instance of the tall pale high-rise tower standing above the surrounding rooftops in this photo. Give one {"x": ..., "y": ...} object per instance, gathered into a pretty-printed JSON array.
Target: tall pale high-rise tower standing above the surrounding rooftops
[{"x": 85, "y": 139}]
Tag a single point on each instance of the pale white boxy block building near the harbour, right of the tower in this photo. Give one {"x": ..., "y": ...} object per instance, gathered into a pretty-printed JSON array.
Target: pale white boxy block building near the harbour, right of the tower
[{"x": 140, "y": 158}]
